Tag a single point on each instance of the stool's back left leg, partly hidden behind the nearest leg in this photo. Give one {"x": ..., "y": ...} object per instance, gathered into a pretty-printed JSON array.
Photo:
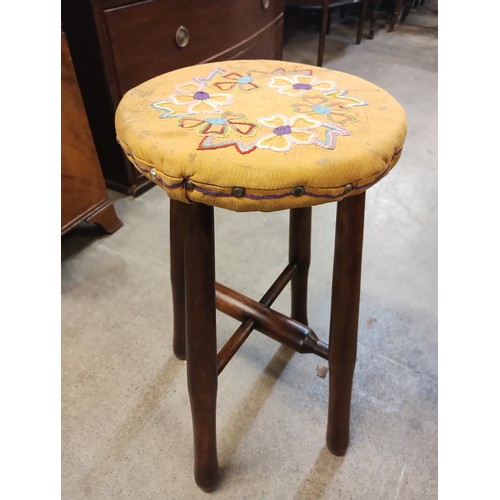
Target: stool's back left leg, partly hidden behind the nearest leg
[{"x": 177, "y": 224}]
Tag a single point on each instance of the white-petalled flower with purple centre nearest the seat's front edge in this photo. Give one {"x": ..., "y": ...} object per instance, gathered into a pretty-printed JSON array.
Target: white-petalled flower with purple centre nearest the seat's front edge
[{"x": 287, "y": 131}]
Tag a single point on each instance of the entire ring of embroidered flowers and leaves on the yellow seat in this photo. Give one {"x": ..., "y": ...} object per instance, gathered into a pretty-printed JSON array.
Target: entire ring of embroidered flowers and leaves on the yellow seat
[{"x": 318, "y": 118}]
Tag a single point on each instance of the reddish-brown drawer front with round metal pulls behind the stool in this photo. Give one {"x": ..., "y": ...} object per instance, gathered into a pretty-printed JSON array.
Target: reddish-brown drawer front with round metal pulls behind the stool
[{"x": 144, "y": 39}]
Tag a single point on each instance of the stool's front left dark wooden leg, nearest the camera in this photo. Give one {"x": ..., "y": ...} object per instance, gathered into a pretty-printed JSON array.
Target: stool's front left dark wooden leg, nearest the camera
[{"x": 201, "y": 342}]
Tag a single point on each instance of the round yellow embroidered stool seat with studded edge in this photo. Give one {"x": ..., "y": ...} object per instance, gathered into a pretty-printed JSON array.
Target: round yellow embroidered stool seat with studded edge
[{"x": 260, "y": 134}]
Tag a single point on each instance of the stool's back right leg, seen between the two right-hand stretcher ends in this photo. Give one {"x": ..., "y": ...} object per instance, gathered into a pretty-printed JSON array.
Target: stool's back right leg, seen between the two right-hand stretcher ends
[{"x": 300, "y": 254}]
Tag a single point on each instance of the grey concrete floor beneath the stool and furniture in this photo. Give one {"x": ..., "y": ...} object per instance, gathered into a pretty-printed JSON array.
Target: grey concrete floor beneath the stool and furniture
[{"x": 126, "y": 425}]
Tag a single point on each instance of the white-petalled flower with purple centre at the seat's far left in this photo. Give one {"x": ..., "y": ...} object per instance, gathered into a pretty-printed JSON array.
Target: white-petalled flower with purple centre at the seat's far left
[{"x": 195, "y": 97}]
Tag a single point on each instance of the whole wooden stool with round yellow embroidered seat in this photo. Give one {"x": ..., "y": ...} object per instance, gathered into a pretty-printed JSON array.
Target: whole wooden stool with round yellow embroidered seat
[{"x": 261, "y": 135}]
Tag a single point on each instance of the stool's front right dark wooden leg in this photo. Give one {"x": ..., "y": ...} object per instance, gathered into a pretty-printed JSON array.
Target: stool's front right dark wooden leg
[{"x": 344, "y": 318}]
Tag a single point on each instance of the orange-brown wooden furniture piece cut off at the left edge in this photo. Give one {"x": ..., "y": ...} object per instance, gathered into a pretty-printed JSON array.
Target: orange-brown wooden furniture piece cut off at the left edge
[{"x": 84, "y": 195}]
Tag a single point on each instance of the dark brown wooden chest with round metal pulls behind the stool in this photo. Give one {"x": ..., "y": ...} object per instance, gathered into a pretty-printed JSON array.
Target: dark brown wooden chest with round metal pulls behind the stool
[{"x": 117, "y": 44}]
